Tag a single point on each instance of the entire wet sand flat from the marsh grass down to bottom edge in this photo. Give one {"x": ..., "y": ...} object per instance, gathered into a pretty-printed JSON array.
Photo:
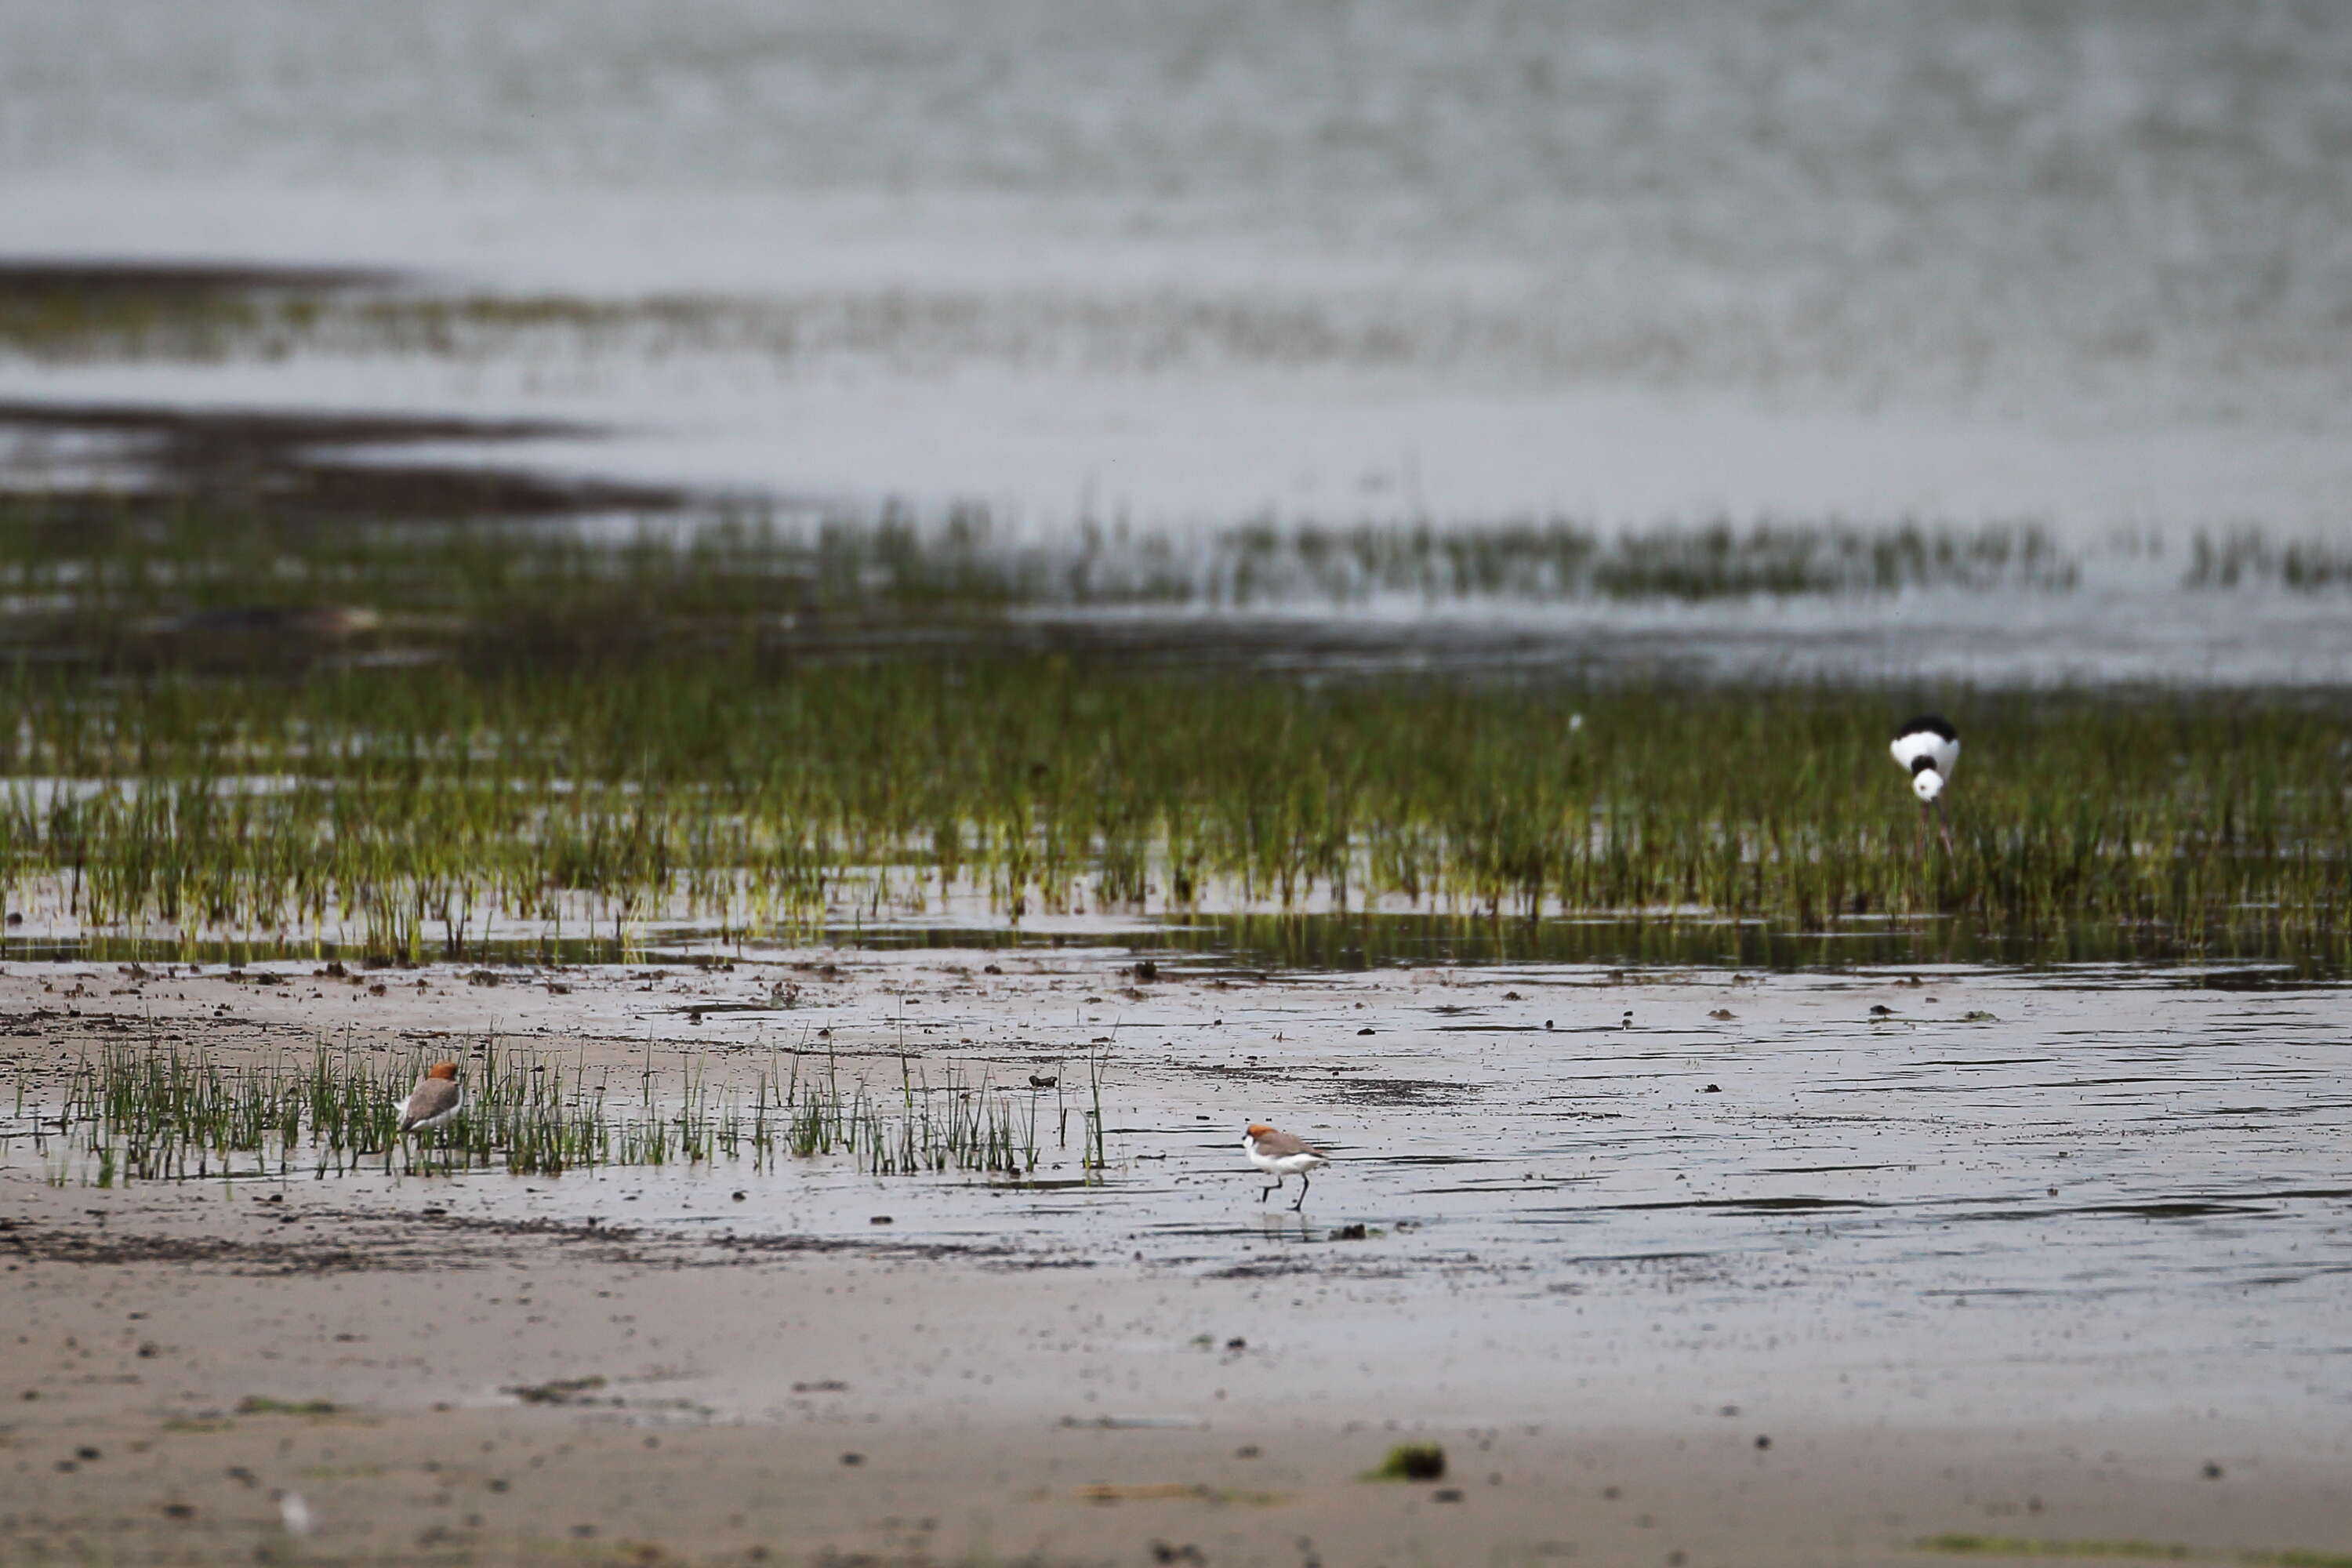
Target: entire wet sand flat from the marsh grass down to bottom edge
[{"x": 2059, "y": 1278}]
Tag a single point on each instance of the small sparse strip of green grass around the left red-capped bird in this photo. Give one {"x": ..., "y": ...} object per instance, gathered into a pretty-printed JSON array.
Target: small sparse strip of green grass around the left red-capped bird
[{"x": 171, "y": 1111}]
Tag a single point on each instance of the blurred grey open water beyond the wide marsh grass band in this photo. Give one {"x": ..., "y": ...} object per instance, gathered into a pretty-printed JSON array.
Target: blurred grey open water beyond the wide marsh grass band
[{"x": 1187, "y": 264}]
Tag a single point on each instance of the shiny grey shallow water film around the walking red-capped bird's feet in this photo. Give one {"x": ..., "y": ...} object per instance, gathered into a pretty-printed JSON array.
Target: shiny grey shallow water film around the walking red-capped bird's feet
[{"x": 2130, "y": 1186}]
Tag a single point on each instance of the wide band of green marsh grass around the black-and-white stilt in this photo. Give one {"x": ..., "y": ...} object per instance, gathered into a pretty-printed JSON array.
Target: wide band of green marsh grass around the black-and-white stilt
[{"x": 396, "y": 735}]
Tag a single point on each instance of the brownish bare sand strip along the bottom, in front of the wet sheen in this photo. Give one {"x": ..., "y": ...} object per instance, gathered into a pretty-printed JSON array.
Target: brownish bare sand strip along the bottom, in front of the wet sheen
[{"x": 549, "y": 1407}]
